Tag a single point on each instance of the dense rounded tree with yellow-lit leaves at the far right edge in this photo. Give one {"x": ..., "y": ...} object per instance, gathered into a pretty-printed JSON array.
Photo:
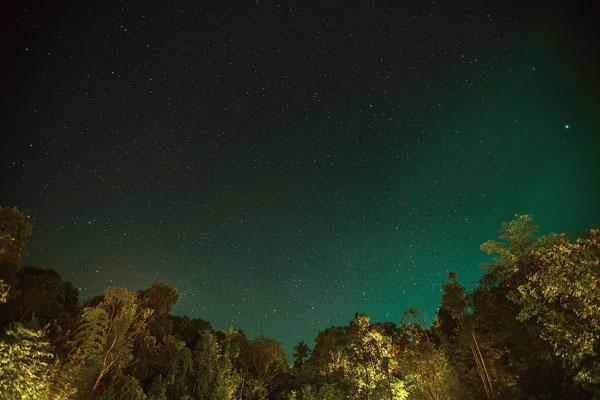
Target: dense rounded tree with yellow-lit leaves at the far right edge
[{"x": 562, "y": 295}]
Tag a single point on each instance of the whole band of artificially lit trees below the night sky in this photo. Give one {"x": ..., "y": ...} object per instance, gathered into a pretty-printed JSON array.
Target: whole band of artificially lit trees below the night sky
[{"x": 530, "y": 329}]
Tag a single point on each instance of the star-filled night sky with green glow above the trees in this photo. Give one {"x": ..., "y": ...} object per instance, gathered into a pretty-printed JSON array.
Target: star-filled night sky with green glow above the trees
[{"x": 284, "y": 165}]
